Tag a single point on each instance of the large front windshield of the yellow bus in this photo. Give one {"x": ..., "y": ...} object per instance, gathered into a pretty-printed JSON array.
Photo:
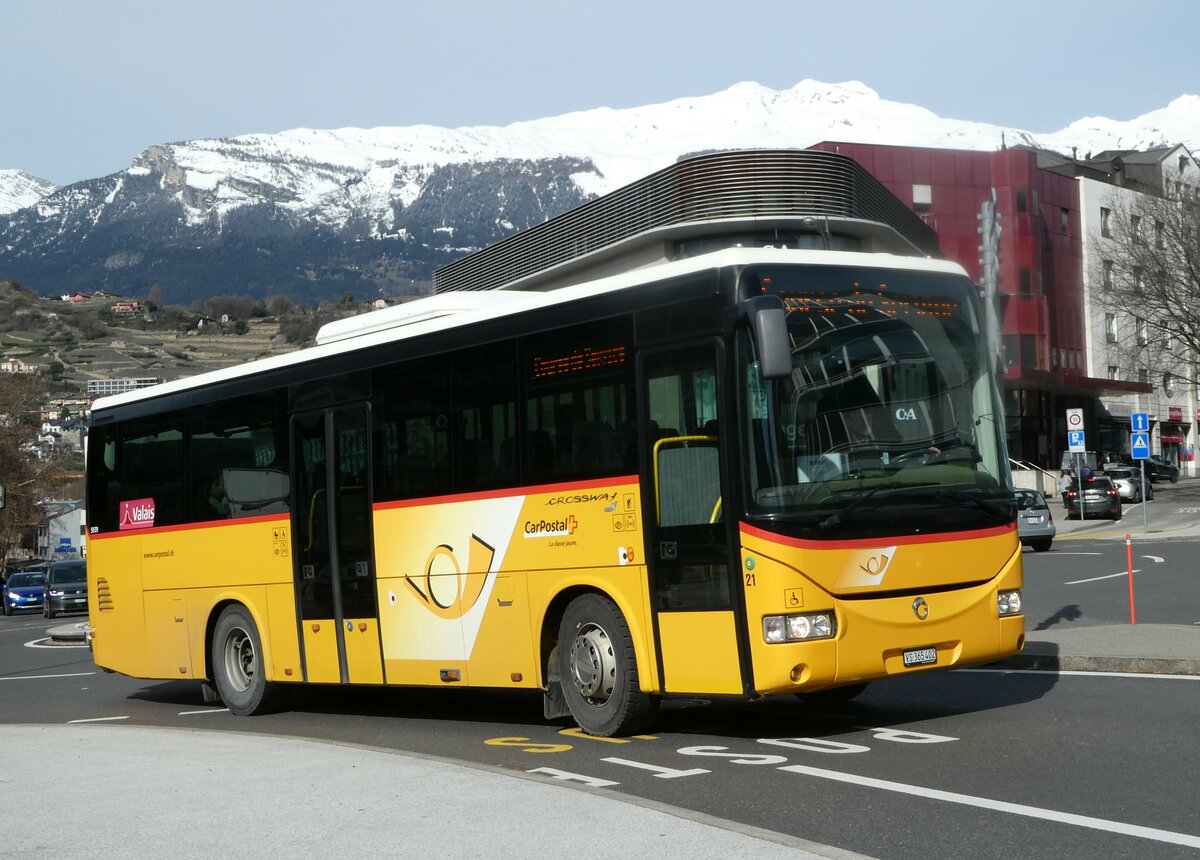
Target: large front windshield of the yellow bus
[{"x": 890, "y": 423}]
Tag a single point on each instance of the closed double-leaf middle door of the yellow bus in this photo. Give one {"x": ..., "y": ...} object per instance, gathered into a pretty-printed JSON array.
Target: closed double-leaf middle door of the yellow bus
[{"x": 334, "y": 560}]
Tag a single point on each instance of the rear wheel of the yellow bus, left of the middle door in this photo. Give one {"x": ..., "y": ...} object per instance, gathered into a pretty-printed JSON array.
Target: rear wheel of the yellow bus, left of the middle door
[{"x": 238, "y": 669}]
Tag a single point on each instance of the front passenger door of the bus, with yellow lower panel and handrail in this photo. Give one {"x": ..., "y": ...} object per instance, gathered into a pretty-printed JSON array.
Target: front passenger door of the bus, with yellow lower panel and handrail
[{"x": 688, "y": 545}]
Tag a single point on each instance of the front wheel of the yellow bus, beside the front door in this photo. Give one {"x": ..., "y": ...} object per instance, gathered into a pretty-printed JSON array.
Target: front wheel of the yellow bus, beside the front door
[{"x": 598, "y": 670}]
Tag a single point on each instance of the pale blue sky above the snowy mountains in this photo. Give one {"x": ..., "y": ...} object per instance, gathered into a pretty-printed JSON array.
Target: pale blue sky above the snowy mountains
[{"x": 89, "y": 85}]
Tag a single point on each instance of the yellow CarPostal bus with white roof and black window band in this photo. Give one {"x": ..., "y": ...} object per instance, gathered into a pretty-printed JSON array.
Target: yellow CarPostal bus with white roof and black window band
[{"x": 747, "y": 472}]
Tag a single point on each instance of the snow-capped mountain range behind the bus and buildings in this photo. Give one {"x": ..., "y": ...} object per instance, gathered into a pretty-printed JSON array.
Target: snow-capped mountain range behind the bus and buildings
[{"x": 321, "y": 213}]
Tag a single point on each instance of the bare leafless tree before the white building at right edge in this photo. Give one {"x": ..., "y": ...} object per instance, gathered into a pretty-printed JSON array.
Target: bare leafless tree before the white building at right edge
[{"x": 1148, "y": 278}]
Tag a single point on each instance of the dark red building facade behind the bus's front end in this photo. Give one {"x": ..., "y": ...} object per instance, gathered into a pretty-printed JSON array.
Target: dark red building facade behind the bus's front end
[{"x": 1041, "y": 273}]
